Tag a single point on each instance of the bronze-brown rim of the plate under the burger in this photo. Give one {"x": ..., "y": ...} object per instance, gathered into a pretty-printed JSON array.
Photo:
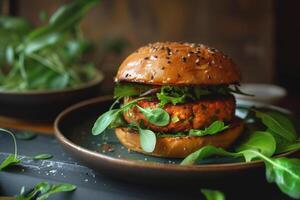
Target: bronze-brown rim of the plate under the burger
[{"x": 144, "y": 164}]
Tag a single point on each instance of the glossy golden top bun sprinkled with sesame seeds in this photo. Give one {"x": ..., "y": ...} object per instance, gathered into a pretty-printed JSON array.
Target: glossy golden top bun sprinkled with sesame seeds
[{"x": 174, "y": 63}]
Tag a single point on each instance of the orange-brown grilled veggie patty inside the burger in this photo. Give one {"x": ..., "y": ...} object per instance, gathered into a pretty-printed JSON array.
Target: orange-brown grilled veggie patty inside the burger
[{"x": 195, "y": 115}]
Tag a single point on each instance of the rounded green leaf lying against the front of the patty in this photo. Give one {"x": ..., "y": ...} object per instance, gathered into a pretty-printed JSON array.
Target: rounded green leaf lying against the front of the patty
[{"x": 156, "y": 116}]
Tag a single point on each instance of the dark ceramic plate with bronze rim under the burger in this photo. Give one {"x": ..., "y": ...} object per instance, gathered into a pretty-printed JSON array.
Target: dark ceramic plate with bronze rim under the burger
[{"x": 105, "y": 154}]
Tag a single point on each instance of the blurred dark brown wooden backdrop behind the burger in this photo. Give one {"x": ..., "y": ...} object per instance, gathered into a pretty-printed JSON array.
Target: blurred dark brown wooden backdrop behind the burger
[{"x": 261, "y": 36}]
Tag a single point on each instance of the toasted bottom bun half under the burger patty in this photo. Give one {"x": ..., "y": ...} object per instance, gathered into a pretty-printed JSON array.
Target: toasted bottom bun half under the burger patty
[{"x": 180, "y": 147}]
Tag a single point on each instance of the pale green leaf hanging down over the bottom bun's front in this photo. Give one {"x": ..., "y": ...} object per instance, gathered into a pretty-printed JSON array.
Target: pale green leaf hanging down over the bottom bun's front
[{"x": 147, "y": 139}]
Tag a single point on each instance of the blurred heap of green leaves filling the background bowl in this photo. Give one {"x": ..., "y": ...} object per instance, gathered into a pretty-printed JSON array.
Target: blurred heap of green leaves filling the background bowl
[{"x": 53, "y": 55}]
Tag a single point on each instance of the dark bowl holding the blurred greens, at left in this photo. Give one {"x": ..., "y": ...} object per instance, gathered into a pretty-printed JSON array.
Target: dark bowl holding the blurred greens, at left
[{"x": 46, "y": 105}]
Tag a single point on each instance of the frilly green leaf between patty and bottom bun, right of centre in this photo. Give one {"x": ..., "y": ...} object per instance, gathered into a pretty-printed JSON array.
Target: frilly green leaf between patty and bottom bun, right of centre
[{"x": 214, "y": 128}]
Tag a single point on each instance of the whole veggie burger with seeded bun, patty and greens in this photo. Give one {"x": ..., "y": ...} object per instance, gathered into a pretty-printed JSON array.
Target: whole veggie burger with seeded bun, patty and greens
[{"x": 175, "y": 98}]
